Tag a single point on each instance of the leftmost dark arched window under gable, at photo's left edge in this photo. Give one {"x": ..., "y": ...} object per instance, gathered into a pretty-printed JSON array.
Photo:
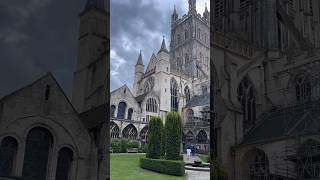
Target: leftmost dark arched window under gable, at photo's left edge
[{"x": 8, "y": 152}]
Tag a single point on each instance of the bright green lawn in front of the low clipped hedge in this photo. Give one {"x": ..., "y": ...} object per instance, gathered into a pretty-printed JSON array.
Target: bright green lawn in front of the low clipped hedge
[{"x": 126, "y": 167}]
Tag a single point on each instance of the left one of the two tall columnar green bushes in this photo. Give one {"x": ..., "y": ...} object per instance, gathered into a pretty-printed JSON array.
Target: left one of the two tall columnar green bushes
[{"x": 153, "y": 138}]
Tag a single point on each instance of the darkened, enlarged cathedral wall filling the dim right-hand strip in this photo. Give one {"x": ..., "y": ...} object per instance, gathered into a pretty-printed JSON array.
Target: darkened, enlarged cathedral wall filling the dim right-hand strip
[{"x": 265, "y": 72}]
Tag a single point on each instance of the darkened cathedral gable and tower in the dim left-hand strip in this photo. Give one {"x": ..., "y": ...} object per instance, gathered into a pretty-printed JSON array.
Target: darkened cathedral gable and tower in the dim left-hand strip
[{"x": 44, "y": 135}]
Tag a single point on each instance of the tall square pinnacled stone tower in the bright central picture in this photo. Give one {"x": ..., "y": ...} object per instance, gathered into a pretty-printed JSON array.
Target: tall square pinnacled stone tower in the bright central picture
[{"x": 190, "y": 42}]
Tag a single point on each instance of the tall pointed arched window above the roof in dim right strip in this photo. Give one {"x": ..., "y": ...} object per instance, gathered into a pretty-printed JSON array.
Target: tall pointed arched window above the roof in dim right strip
[{"x": 246, "y": 96}]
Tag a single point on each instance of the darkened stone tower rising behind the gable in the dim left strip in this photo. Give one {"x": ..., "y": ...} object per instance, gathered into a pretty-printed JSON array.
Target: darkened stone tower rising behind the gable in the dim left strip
[{"x": 90, "y": 76}]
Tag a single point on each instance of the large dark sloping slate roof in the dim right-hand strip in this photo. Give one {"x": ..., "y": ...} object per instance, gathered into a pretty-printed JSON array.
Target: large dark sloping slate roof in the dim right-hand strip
[{"x": 291, "y": 121}]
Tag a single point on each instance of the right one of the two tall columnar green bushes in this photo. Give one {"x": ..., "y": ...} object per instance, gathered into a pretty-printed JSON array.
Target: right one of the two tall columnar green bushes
[{"x": 173, "y": 136}]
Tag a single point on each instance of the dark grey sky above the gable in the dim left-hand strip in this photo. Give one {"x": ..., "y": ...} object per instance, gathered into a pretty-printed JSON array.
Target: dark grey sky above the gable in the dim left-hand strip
[{"x": 37, "y": 36}]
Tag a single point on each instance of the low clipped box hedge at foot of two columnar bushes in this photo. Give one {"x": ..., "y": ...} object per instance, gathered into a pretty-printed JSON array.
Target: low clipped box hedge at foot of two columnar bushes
[{"x": 163, "y": 166}]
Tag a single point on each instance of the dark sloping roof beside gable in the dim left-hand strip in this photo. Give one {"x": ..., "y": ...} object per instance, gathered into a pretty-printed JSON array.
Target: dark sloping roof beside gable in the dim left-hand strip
[{"x": 95, "y": 116}]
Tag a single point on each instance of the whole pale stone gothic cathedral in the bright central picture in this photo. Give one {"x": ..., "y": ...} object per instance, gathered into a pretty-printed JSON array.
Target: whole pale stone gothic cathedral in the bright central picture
[{"x": 175, "y": 79}]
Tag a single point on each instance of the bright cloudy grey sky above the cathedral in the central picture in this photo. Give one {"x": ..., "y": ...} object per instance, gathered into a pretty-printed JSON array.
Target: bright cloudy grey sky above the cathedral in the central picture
[{"x": 140, "y": 26}]
